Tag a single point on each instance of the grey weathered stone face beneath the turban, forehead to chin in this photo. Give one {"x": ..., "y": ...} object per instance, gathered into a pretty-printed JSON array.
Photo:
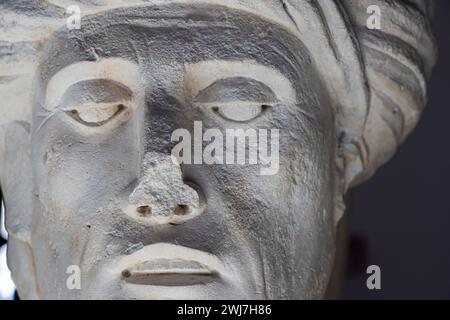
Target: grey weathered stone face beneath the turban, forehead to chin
[{"x": 99, "y": 125}]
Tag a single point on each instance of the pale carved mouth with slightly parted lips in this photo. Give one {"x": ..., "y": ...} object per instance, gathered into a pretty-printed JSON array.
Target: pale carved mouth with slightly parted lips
[{"x": 169, "y": 264}]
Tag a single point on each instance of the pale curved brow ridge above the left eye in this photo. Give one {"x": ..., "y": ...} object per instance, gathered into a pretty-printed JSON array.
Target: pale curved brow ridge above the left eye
[{"x": 121, "y": 72}]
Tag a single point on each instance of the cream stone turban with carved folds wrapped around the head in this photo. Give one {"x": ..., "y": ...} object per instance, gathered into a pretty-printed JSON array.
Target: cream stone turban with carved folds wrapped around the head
[{"x": 375, "y": 78}]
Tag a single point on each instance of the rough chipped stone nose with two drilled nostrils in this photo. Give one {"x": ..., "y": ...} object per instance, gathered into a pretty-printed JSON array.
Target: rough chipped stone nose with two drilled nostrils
[{"x": 161, "y": 196}]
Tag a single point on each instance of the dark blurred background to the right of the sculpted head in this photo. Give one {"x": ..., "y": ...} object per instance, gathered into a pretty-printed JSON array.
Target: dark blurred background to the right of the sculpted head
[{"x": 400, "y": 219}]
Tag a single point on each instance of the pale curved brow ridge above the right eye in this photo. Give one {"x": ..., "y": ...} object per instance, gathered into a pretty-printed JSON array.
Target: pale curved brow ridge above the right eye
[{"x": 201, "y": 75}]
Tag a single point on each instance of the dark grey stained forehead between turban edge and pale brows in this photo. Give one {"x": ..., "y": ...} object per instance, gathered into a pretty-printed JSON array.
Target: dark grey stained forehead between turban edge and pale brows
[{"x": 187, "y": 33}]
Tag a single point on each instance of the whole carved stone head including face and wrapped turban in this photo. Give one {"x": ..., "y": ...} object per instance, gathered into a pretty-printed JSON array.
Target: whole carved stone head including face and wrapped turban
[{"x": 87, "y": 121}]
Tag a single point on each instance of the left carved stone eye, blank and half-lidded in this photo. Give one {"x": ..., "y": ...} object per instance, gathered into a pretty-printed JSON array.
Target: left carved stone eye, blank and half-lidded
[{"x": 97, "y": 115}]
